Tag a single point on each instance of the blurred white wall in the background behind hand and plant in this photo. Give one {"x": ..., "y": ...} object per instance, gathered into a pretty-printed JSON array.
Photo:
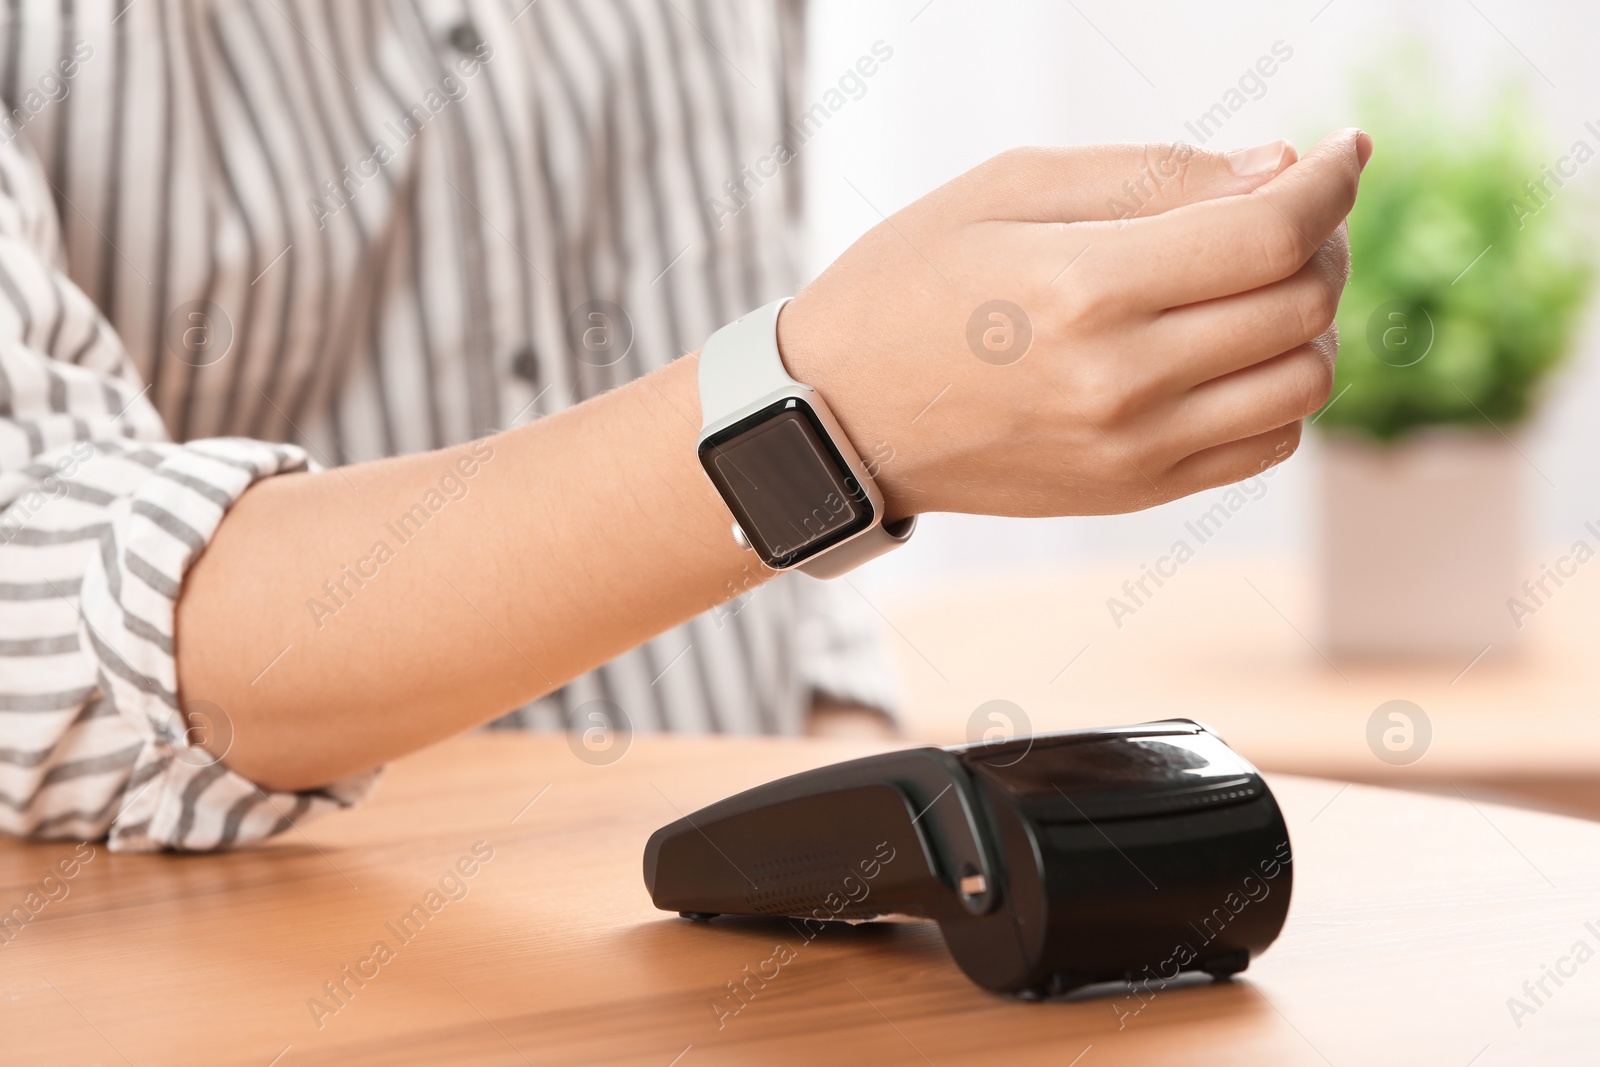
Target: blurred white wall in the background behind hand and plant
[{"x": 972, "y": 78}]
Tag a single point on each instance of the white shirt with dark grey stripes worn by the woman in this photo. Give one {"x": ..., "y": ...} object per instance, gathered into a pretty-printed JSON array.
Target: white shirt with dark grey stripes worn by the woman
[{"x": 242, "y": 238}]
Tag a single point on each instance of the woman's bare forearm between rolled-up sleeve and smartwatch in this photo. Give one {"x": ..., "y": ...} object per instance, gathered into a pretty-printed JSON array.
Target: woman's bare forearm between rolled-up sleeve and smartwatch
[{"x": 404, "y": 601}]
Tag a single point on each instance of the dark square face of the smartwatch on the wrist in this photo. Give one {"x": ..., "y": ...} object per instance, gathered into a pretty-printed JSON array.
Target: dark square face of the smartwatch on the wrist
[{"x": 786, "y": 484}]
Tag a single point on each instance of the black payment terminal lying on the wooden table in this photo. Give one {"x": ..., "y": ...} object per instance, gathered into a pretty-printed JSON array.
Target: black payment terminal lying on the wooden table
[{"x": 1050, "y": 863}]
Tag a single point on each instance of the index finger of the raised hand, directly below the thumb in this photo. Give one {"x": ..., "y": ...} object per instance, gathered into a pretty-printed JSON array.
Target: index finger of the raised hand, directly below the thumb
[{"x": 1233, "y": 246}]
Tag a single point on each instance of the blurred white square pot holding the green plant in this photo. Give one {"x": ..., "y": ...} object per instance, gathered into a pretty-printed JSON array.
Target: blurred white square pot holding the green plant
[{"x": 1420, "y": 545}]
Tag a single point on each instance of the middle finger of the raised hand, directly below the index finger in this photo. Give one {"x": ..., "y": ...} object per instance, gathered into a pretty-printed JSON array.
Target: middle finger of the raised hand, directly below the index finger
[{"x": 1230, "y": 334}]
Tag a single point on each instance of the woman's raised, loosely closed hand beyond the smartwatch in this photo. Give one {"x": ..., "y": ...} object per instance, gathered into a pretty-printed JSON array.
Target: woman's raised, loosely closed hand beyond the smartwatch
[{"x": 1086, "y": 330}]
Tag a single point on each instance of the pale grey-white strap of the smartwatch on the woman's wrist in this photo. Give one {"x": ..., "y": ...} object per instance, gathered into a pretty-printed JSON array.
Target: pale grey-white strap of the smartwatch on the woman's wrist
[{"x": 740, "y": 370}]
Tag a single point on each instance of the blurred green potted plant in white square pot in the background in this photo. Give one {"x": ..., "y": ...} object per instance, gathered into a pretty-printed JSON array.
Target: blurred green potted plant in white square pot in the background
[{"x": 1470, "y": 279}]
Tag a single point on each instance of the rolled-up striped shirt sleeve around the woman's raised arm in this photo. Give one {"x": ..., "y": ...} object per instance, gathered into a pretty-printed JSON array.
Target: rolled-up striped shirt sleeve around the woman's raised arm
[{"x": 103, "y": 516}]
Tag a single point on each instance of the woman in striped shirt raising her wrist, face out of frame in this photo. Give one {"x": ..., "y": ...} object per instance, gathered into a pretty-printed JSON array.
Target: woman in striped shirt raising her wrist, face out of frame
[{"x": 372, "y": 238}]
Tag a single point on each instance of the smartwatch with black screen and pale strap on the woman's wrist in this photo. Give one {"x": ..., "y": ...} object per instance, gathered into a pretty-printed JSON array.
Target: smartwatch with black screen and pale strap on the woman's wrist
[{"x": 798, "y": 489}]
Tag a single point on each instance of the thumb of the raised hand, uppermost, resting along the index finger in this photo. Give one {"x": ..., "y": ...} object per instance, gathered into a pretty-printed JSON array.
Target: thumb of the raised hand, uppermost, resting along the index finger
[{"x": 1116, "y": 182}]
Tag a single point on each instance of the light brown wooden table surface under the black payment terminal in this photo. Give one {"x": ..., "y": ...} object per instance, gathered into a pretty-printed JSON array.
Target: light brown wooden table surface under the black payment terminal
[{"x": 1415, "y": 921}]
